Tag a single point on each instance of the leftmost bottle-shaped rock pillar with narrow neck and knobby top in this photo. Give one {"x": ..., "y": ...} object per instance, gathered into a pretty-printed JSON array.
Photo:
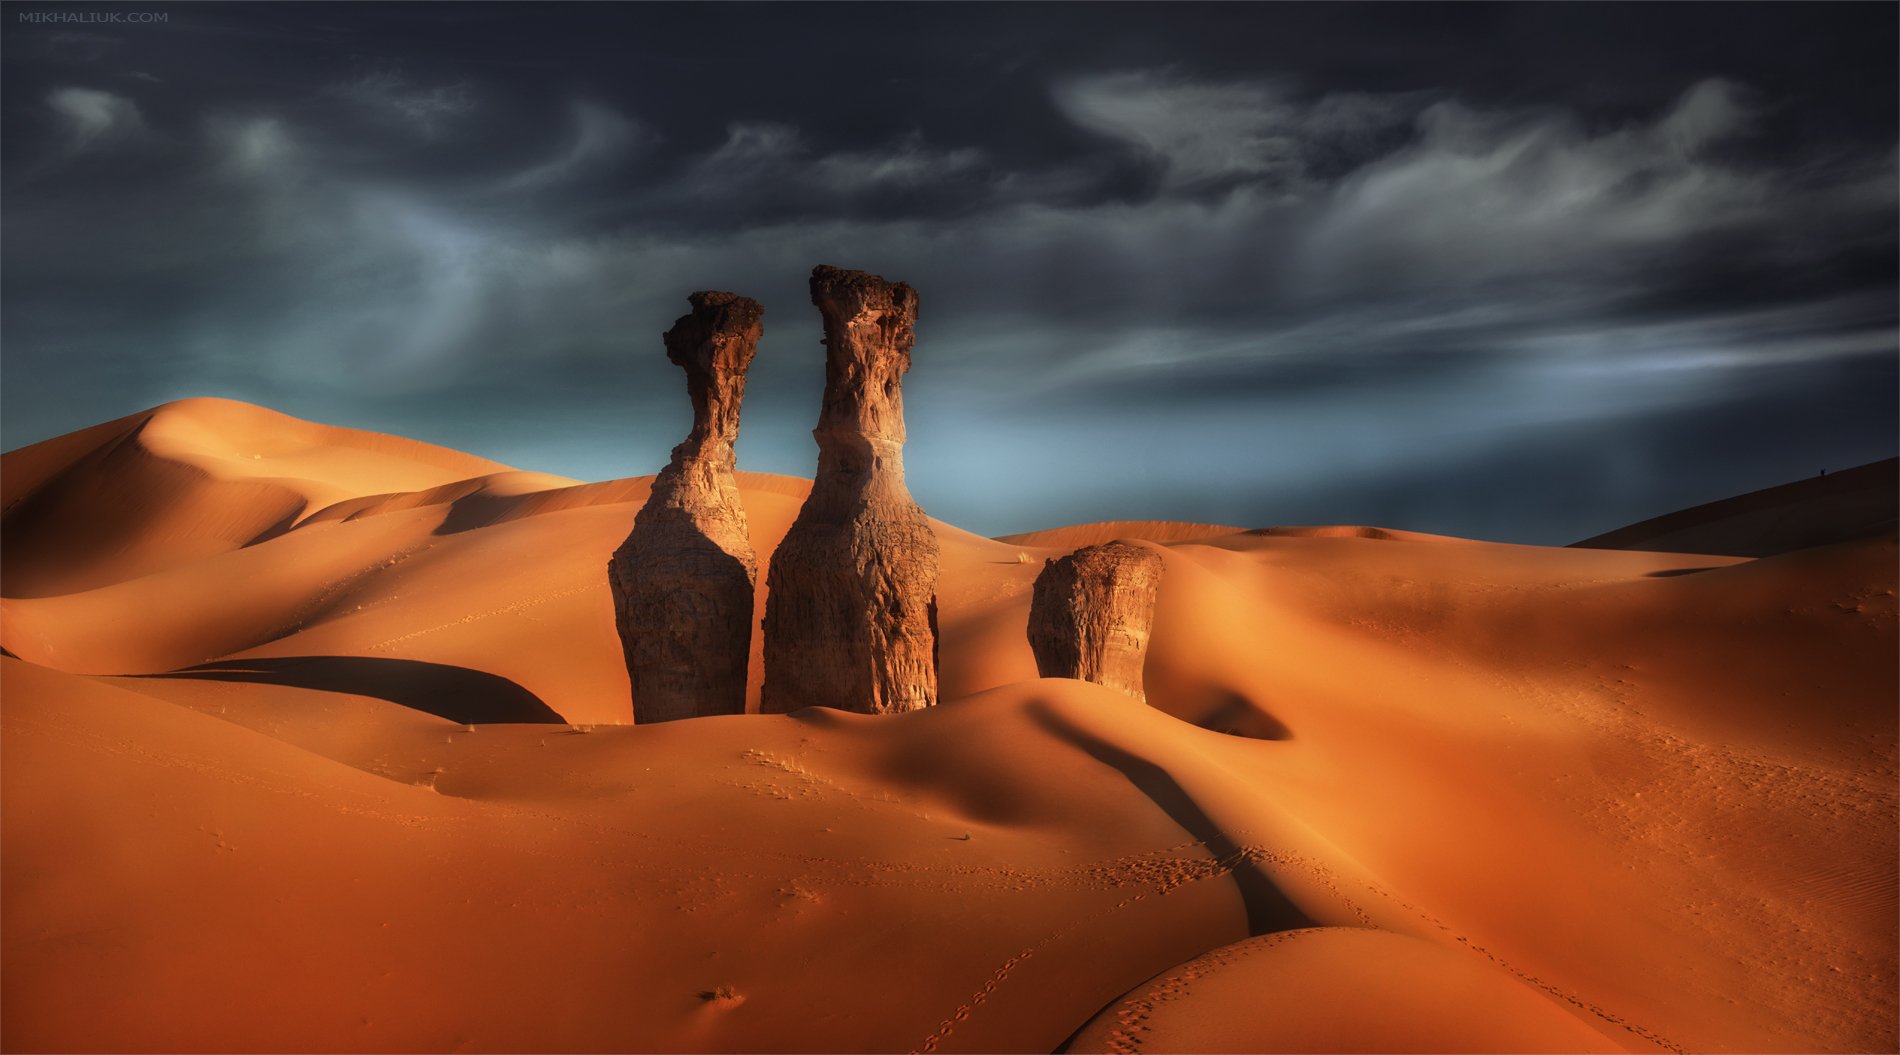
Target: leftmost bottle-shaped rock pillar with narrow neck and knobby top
[{"x": 683, "y": 583}]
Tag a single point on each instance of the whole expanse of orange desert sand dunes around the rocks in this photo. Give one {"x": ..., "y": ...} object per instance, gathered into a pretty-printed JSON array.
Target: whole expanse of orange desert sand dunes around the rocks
[{"x": 318, "y": 740}]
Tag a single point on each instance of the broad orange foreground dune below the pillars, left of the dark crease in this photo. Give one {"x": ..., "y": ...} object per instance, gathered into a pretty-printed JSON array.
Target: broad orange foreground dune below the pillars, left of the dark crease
[{"x": 542, "y": 891}]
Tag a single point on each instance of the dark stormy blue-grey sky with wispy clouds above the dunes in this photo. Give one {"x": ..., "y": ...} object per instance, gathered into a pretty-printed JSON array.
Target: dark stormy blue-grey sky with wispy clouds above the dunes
[{"x": 1523, "y": 273}]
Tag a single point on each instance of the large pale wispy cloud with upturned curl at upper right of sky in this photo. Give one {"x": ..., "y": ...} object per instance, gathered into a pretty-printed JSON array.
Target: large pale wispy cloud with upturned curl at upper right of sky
[{"x": 1483, "y": 195}]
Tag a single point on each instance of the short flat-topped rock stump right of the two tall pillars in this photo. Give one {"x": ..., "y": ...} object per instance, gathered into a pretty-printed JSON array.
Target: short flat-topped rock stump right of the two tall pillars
[{"x": 1092, "y": 615}]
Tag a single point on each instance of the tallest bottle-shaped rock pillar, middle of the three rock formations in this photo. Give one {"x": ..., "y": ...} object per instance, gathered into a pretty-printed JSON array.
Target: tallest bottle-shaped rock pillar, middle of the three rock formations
[{"x": 852, "y": 602}]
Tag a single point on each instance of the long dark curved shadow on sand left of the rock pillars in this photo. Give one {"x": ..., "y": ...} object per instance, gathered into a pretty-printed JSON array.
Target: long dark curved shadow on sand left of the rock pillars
[{"x": 440, "y": 689}]
